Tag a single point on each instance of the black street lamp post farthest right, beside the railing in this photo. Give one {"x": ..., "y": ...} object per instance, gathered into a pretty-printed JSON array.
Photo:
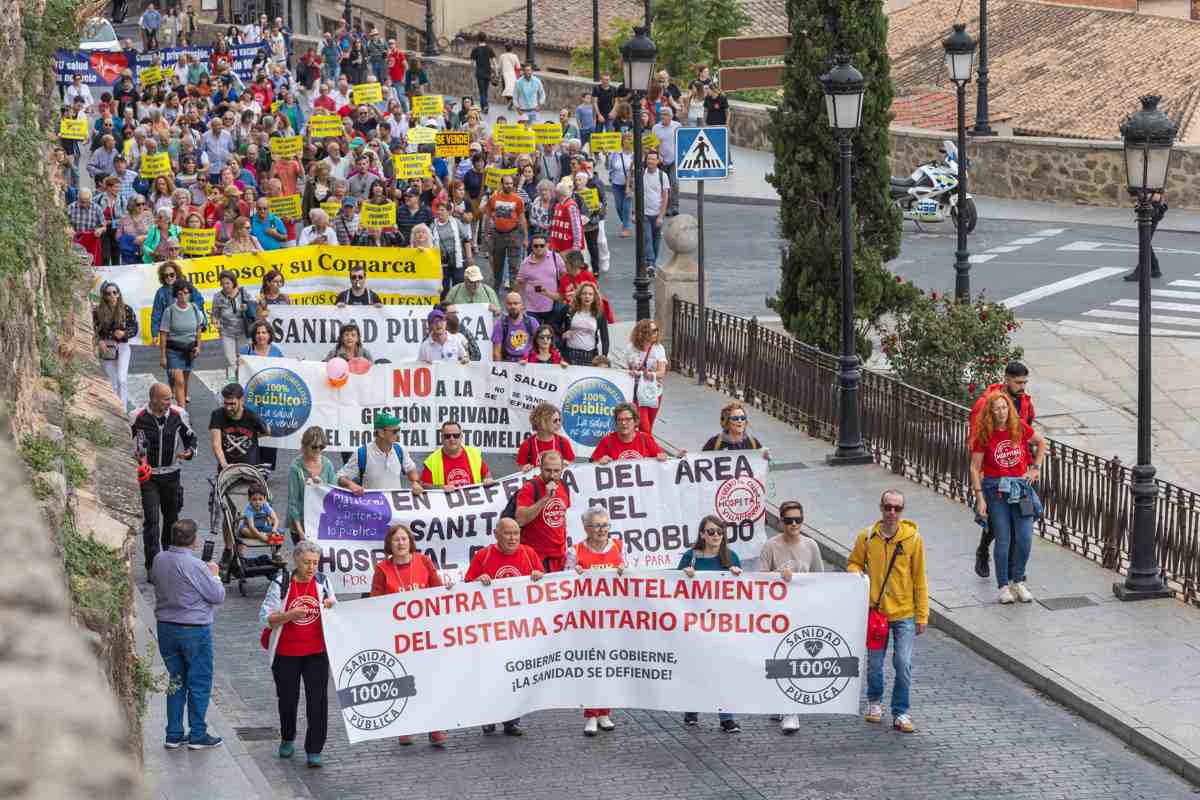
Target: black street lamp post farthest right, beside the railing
[{"x": 1149, "y": 136}]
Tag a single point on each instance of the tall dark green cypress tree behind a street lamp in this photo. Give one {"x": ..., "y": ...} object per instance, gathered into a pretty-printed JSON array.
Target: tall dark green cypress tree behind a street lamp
[{"x": 809, "y": 299}]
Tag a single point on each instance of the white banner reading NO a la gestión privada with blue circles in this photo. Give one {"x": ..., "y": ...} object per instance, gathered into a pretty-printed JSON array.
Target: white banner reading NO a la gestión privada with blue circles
[{"x": 493, "y": 401}]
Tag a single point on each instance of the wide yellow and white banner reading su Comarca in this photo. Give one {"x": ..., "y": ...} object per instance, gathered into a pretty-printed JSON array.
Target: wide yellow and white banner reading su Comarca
[{"x": 315, "y": 274}]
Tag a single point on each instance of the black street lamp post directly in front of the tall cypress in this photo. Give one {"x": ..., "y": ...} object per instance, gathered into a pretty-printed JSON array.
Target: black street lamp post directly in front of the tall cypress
[{"x": 844, "y": 91}]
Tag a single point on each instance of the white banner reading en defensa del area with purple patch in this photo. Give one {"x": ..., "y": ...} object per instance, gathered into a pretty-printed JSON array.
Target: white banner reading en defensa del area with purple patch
[{"x": 655, "y": 508}]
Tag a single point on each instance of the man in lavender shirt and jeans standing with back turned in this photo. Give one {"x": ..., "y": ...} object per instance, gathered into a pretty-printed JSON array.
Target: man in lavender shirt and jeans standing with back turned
[{"x": 187, "y": 592}]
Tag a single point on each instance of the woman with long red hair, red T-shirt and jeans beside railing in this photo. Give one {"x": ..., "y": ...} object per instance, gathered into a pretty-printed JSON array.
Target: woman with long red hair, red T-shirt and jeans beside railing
[{"x": 1001, "y": 477}]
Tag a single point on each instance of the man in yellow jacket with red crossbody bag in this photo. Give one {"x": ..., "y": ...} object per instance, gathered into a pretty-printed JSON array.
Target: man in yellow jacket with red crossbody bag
[{"x": 892, "y": 554}]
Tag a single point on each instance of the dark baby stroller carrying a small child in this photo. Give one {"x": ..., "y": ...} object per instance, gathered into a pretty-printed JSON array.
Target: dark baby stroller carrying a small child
[{"x": 227, "y": 502}]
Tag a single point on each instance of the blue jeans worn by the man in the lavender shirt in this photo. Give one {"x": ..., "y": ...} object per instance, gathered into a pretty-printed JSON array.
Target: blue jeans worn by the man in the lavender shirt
[{"x": 188, "y": 654}]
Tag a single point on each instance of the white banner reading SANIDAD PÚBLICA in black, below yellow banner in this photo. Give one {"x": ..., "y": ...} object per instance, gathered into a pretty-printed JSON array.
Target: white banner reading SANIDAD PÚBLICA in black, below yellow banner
[{"x": 393, "y": 333}]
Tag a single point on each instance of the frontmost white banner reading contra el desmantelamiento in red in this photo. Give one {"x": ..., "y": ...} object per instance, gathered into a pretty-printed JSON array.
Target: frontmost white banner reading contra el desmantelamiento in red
[{"x": 442, "y": 659}]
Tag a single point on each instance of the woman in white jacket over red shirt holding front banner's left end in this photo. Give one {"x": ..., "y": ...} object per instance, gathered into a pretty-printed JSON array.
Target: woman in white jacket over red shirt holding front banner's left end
[{"x": 296, "y": 649}]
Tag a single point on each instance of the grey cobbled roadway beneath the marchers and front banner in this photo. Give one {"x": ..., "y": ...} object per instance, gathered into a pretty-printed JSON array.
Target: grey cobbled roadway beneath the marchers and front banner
[{"x": 981, "y": 735}]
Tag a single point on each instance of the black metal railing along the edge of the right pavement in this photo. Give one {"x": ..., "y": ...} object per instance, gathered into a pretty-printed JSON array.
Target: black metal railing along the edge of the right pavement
[{"x": 923, "y": 438}]
